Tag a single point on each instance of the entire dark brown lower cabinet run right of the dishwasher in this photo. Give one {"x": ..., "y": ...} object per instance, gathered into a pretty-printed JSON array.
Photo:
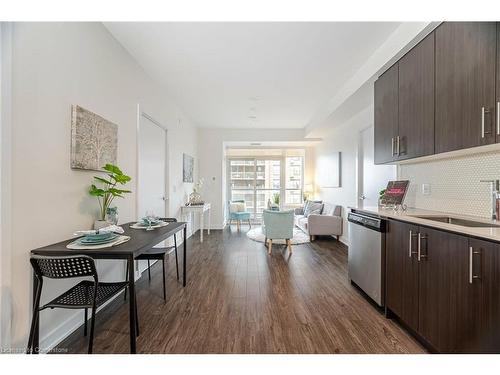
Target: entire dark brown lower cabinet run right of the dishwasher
[{"x": 445, "y": 287}]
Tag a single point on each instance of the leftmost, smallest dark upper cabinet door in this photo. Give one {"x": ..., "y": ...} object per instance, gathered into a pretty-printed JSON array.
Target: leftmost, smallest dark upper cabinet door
[{"x": 386, "y": 115}]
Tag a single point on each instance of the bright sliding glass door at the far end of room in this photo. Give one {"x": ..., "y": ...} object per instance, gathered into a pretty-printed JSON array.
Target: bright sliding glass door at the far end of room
[{"x": 259, "y": 180}]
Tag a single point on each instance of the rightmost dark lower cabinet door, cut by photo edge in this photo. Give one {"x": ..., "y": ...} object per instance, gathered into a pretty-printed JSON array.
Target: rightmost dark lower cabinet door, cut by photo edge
[{"x": 486, "y": 274}]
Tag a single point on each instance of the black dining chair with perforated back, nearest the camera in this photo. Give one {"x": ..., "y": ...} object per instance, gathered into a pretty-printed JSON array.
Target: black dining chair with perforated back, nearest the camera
[{"x": 87, "y": 294}]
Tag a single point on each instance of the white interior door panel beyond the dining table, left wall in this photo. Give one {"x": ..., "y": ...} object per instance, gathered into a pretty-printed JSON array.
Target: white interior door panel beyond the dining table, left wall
[{"x": 152, "y": 184}]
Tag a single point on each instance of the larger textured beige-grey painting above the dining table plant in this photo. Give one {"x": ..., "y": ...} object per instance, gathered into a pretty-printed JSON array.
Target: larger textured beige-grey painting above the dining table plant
[{"x": 94, "y": 140}]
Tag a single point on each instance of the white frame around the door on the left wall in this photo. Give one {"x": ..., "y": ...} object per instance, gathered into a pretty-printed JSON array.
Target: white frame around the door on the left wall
[{"x": 142, "y": 114}]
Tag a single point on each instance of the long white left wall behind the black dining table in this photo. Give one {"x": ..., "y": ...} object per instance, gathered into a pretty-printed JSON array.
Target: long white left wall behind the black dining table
[{"x": 56, "y": 65}]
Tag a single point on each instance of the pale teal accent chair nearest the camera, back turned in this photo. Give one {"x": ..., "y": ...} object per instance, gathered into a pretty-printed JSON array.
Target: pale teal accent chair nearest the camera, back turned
[{"x": 278, "y": 225}]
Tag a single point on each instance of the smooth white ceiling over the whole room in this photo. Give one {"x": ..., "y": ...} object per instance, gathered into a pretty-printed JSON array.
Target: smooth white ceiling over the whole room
[{"x": 252, "y": 75}]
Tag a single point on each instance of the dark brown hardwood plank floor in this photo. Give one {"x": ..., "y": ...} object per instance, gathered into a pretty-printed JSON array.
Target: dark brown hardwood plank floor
[{"x": 238, "y": 299}]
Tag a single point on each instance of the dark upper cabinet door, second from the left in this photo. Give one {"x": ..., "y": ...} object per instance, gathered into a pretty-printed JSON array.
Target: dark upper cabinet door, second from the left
[{"x": 416, "y": 100}]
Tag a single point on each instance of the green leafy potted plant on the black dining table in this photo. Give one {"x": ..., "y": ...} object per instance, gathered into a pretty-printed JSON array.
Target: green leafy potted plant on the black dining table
[{"x": 108, "y": 192}]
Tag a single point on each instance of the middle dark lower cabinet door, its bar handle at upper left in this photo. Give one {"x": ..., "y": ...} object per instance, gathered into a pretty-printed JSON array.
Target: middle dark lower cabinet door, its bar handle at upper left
[{"x": 446, "y": 298}]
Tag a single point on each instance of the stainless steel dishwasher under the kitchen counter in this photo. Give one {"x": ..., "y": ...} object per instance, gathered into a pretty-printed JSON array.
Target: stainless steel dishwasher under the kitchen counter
[{"x": 366, "y": 254}]
